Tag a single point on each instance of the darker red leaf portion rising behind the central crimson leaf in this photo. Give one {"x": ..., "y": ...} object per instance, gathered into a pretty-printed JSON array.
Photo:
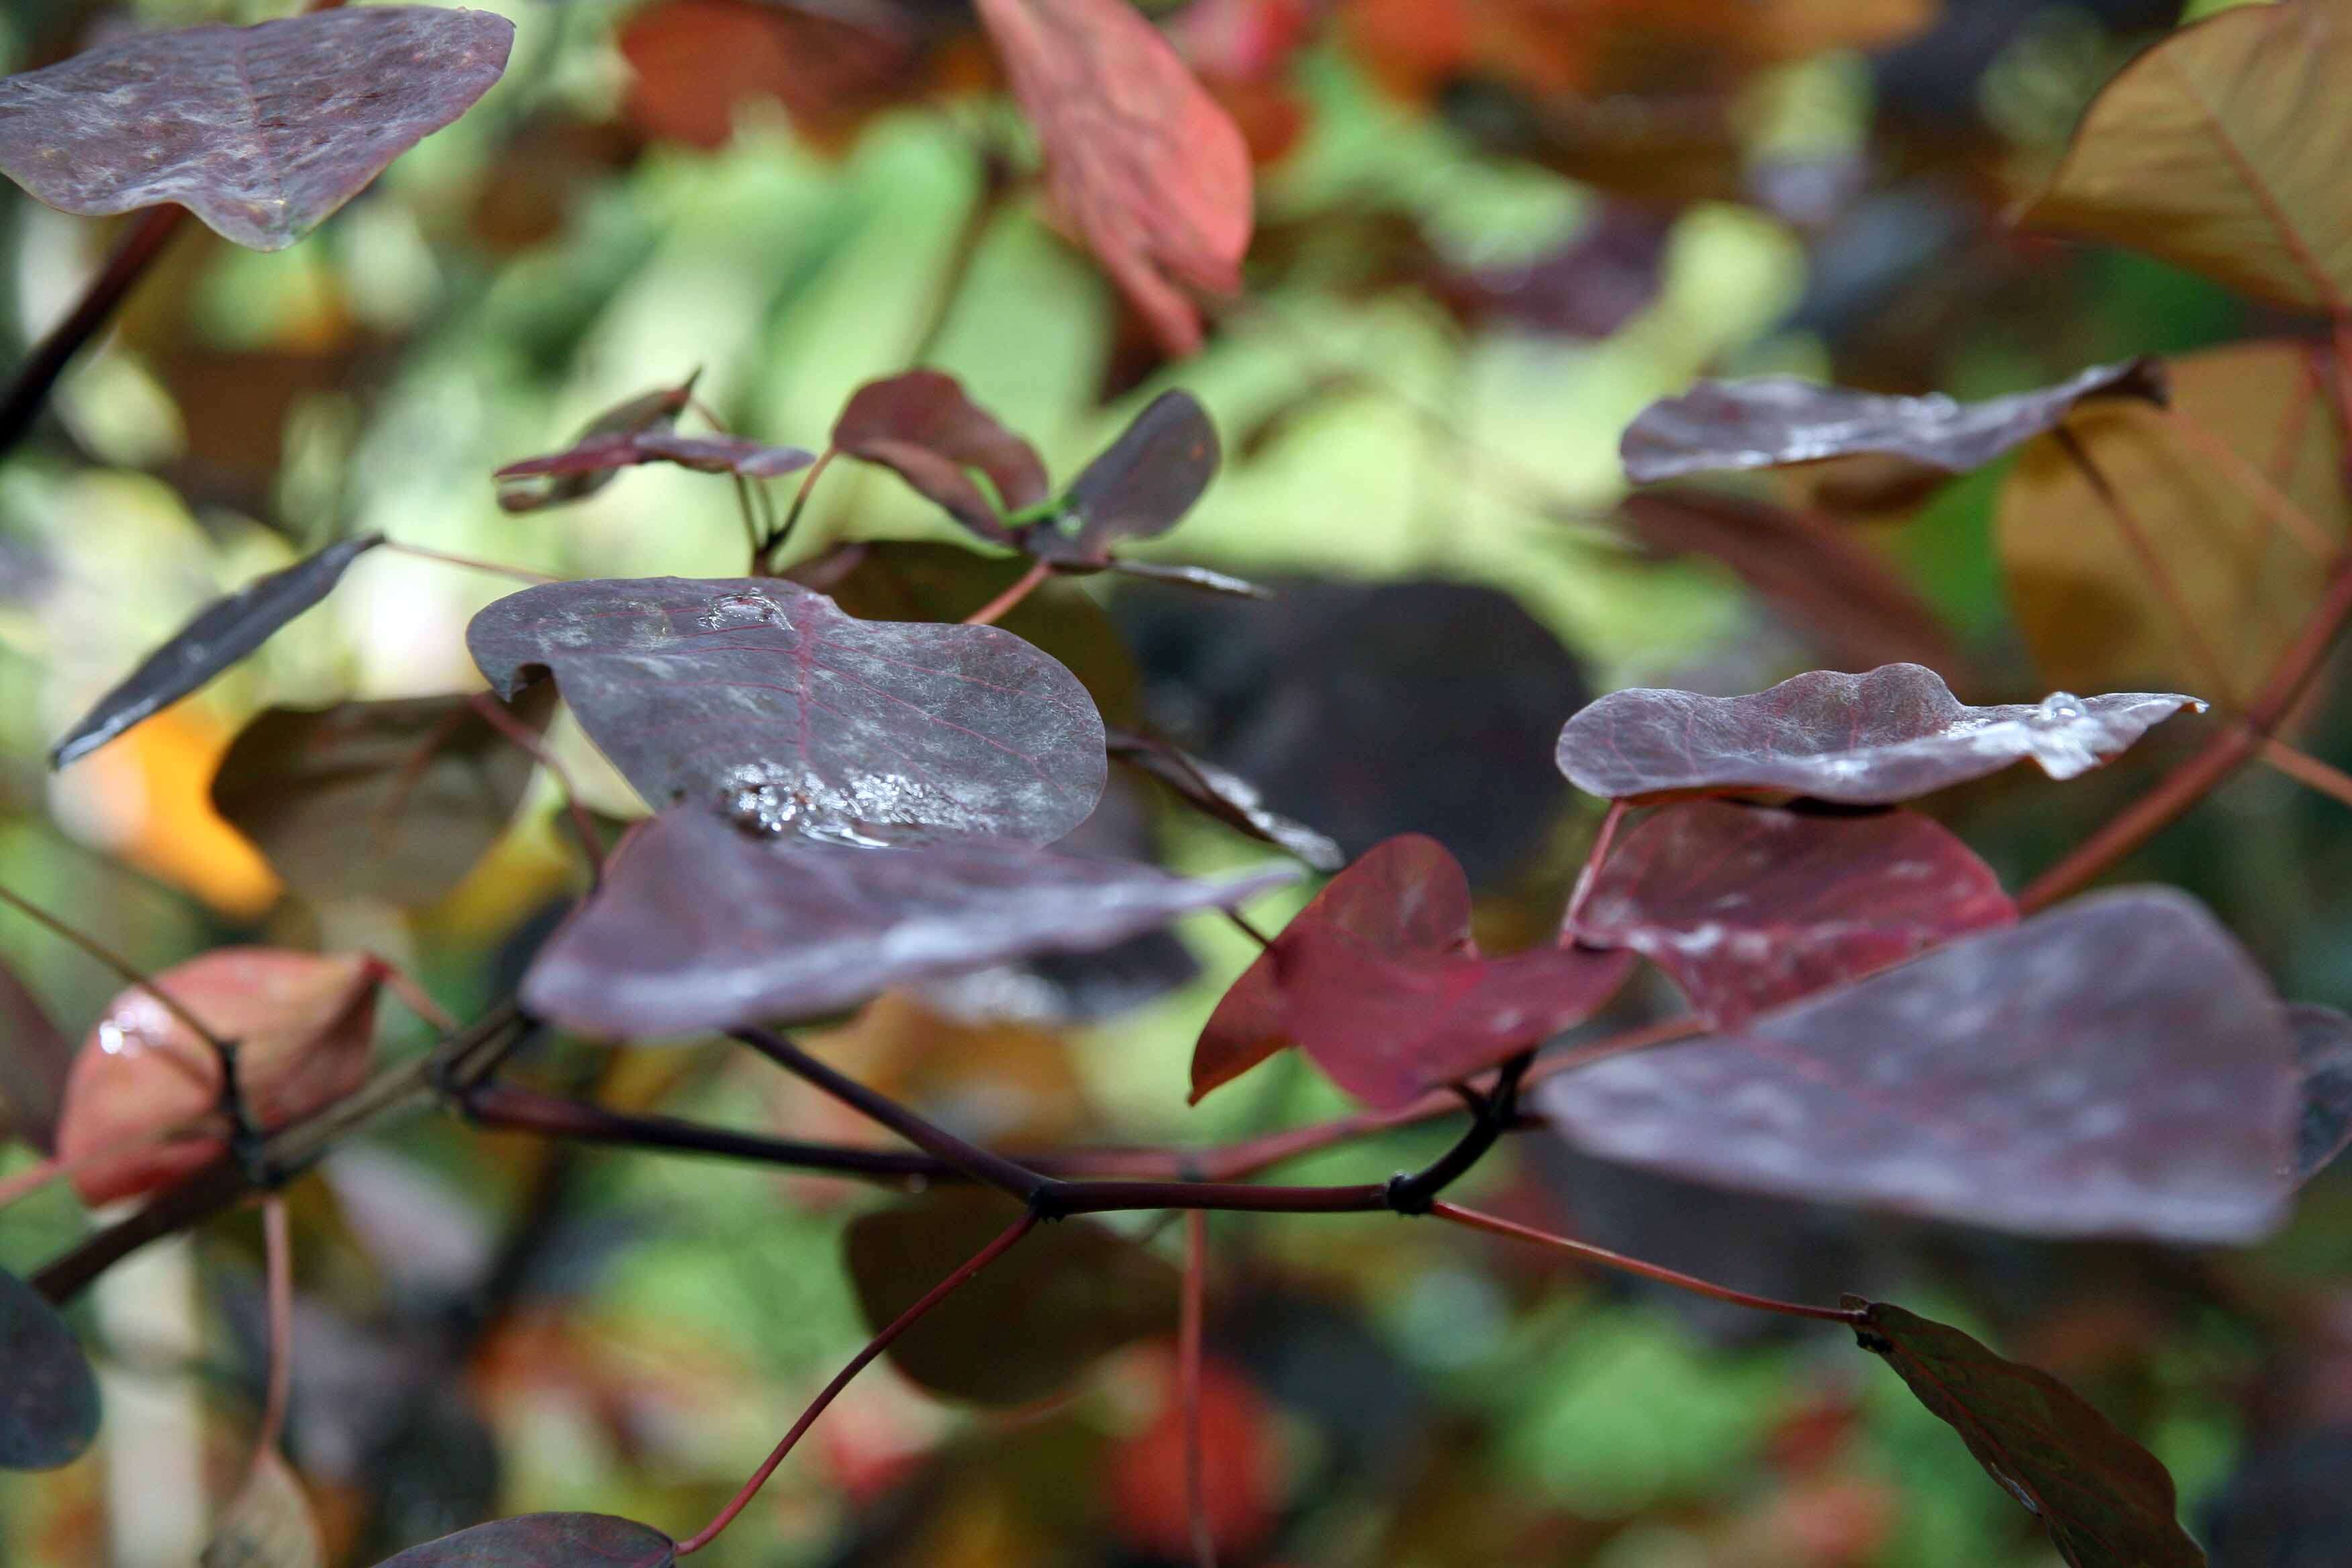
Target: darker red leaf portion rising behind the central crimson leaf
[{"x": 1405, "y": 897}]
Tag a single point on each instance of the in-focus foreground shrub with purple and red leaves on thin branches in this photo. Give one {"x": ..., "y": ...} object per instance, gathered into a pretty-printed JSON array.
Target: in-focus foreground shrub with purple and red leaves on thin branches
[{"x": 860, "y": 782}]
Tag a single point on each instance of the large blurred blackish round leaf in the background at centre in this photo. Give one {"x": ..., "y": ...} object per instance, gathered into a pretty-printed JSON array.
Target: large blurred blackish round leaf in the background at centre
[{"x": 1370, "y": 737}]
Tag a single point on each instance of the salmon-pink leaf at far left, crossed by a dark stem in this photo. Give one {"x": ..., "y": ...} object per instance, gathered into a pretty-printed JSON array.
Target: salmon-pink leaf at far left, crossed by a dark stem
[{"x": 302, "y": 1026}]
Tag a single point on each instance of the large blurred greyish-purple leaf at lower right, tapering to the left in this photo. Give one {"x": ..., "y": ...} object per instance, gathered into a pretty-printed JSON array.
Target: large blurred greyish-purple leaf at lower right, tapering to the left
[{"x": 2116, "y": 1066}]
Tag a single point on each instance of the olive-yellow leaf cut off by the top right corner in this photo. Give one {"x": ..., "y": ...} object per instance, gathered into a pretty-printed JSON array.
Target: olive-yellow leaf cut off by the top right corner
[{"x": 2221, "y": 149}]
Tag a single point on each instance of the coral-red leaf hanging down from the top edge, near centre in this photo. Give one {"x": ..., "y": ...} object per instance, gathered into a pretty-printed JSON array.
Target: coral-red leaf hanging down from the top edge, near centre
[{"x": 1140, "y": 161}]
